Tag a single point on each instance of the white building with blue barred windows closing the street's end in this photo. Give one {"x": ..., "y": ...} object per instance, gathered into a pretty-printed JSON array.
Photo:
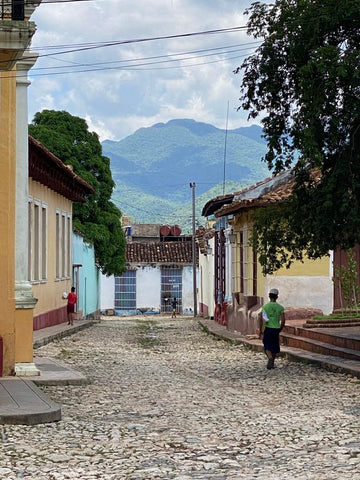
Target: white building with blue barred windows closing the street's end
[{"x": 158, "y": 271}]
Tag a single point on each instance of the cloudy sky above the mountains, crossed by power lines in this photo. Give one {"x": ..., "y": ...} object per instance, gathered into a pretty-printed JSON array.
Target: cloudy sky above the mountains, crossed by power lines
[{"x": 103, "y": 60}]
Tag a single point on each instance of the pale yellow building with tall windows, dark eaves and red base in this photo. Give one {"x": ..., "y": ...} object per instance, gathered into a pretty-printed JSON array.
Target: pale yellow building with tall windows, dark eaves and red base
[{"x": 53, "y": 187}]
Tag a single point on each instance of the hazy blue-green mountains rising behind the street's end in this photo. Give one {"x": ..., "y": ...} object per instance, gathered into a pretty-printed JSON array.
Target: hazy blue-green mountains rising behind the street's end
[{"x": 153, "y": 168}]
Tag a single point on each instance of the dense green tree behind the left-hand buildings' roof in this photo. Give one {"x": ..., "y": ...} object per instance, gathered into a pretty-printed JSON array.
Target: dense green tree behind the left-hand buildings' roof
[{"x": 98, "y": 218}]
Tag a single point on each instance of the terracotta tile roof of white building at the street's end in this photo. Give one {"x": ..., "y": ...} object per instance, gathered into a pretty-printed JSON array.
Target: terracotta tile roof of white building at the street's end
[{"x": 159, "y": 252}]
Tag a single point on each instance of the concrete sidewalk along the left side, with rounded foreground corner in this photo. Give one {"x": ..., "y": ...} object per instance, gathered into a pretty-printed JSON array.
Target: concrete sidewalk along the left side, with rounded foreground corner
[{"x": 21, "y": 401}]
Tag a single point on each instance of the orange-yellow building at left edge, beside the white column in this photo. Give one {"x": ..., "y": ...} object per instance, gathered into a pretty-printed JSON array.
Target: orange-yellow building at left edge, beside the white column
[{"x": 16, "y": 32}]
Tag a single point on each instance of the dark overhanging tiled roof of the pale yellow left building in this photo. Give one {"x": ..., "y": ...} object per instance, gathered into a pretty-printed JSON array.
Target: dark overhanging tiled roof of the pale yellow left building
[{"x": 47, "y": 169}]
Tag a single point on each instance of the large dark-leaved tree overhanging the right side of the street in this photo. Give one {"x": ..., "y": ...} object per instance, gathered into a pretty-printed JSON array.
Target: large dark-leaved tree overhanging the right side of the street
[{"x": 304, "y": 82}]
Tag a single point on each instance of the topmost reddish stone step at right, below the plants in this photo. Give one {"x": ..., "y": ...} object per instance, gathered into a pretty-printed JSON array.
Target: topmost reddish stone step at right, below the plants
[{"x": 343, "y": 338}]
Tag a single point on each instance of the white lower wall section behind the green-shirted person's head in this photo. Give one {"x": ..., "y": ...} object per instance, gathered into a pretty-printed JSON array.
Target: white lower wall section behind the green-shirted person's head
[{"x": 303, "y": 291}]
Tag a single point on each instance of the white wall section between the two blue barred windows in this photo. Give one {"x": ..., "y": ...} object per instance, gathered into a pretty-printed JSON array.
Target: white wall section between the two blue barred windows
[{"x": 148, "y": 287}]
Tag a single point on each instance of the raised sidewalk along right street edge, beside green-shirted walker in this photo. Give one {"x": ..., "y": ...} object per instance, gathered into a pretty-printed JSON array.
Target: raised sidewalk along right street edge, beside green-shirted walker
[{"x": 328, "y": 362}]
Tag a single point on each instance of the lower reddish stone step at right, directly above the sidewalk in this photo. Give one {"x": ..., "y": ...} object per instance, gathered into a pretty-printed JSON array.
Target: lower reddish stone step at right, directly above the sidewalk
[{"x": 320, "y": 347}]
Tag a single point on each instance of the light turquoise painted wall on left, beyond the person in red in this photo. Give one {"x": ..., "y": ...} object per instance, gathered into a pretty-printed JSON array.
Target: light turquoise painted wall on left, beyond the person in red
[{"x": 88, "y": 289}]
